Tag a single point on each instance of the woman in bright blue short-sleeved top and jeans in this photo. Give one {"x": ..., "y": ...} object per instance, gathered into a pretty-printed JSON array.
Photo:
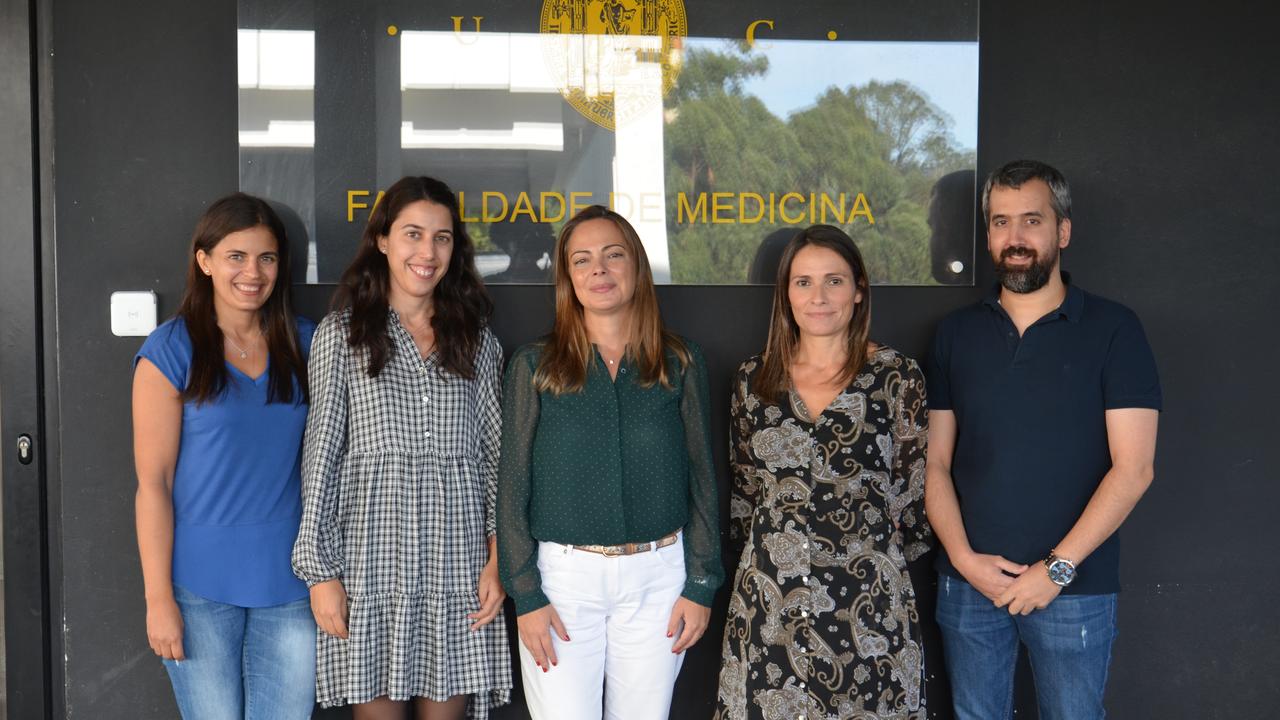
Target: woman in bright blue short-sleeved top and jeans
[{"x": 220, "y": 407}]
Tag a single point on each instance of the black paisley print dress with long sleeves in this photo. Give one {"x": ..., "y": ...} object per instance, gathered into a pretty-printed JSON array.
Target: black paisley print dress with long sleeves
[{"x": 822, "y": 619}]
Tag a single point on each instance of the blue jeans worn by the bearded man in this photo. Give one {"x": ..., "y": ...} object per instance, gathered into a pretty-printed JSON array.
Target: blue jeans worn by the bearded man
[{"x": 1069, "y": 645}]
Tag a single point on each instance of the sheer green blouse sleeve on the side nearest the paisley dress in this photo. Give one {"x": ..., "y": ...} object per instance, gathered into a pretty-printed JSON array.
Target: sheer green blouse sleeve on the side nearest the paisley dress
[{"x": 703, "y": 568}]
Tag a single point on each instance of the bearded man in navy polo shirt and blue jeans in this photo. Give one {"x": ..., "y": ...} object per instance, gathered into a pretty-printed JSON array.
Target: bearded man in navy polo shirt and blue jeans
[{"x": 1044, "y": 403}]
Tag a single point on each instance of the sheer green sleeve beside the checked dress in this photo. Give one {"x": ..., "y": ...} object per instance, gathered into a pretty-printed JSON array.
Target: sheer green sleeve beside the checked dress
[{"x": 518, "y": 550}]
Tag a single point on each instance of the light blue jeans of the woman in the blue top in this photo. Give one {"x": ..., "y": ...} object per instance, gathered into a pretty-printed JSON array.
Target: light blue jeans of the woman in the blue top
[{"x": 245, "y": 663}]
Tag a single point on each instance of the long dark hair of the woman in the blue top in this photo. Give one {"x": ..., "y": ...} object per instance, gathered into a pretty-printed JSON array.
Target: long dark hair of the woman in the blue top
[{"x": 235, "y": 213}]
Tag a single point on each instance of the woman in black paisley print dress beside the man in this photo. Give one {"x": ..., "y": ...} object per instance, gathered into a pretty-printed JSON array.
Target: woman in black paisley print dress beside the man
[{"x": 829, "y": 436}]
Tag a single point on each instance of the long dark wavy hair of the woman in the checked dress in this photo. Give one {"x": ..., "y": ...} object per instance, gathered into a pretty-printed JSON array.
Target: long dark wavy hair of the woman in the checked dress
[{"x": 461, "y": 303}]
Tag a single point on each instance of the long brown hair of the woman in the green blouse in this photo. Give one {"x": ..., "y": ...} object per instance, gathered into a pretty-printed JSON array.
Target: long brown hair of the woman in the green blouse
[{"x": 569, "y": 353}]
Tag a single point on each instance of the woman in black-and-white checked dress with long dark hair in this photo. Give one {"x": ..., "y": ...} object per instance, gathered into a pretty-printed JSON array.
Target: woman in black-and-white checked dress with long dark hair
[{"x": 399, "y": 473}]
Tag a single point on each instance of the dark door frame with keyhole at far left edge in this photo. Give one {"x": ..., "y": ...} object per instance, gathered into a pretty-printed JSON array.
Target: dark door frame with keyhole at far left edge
[{"x": 26, "y": 331}]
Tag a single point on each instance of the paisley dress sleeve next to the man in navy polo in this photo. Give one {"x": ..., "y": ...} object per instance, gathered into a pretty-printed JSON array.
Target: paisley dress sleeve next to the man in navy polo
[{"x": 911, "y": 438}]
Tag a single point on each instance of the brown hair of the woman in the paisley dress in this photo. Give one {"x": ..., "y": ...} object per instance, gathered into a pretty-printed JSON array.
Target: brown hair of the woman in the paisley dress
[{"x": 775, "y": 376}]
